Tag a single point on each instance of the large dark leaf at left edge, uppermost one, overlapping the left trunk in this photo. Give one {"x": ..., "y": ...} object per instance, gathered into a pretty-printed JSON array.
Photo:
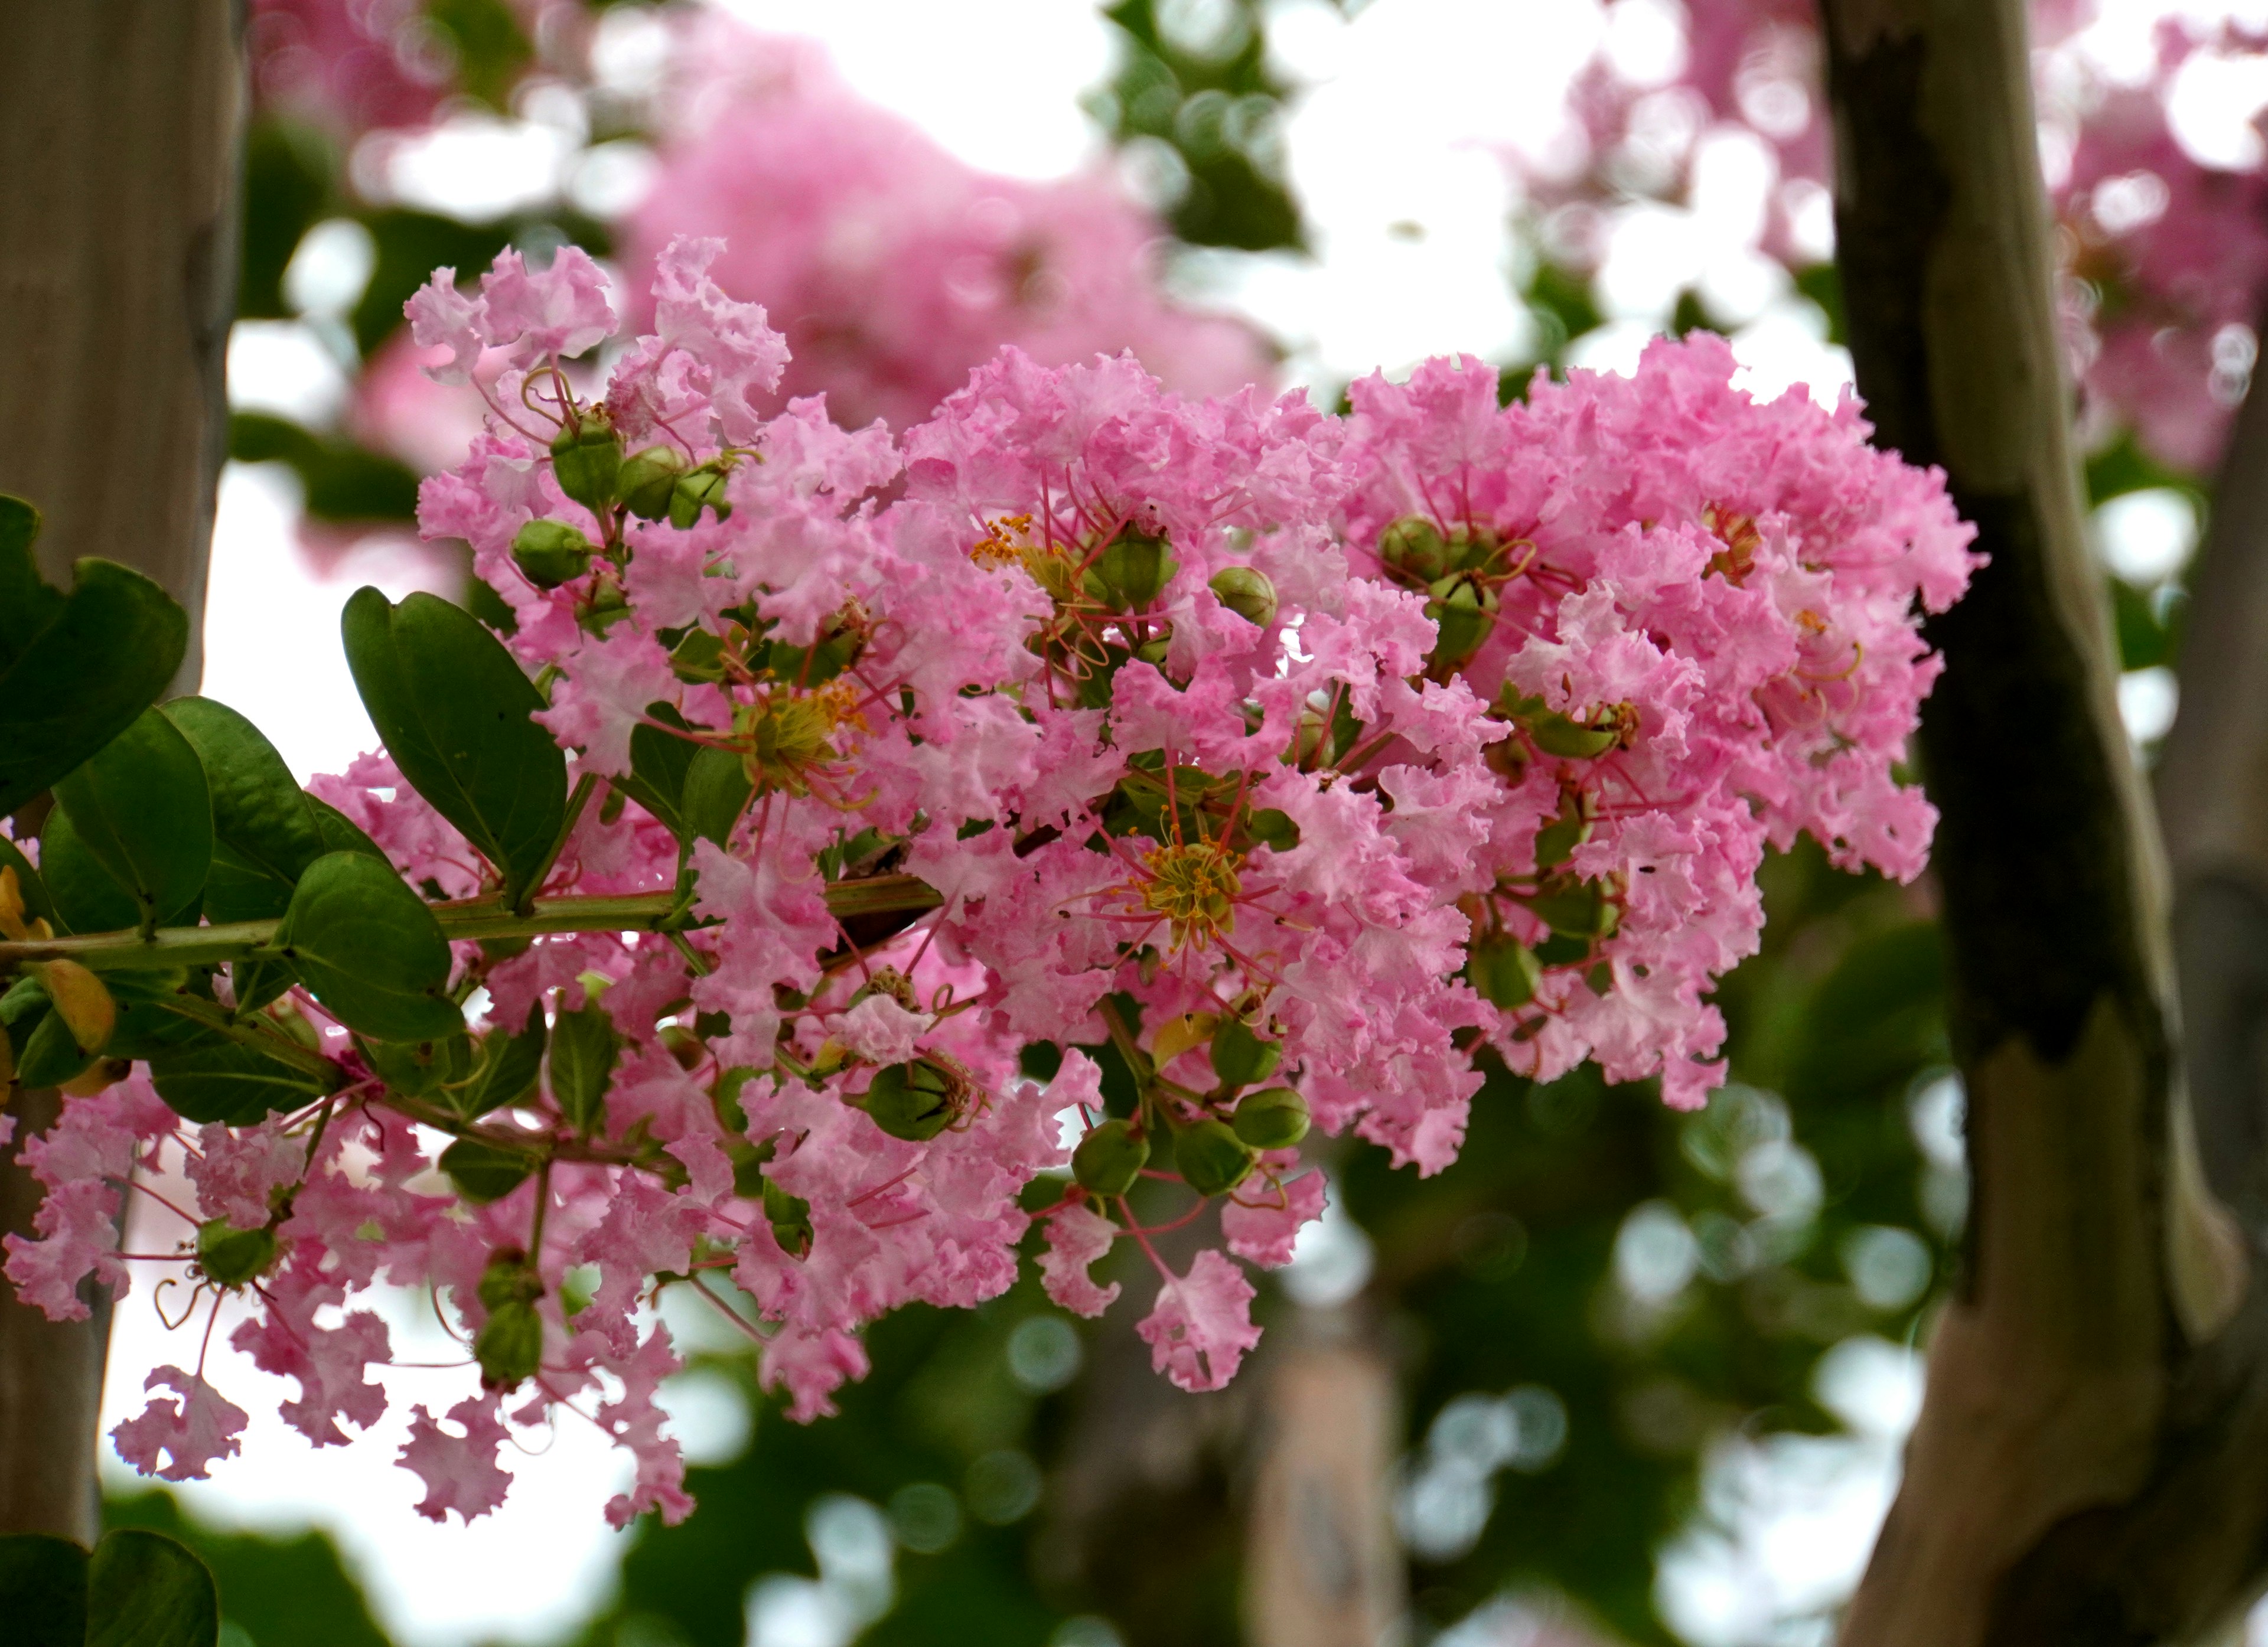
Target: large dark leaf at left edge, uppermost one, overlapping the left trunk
[{"x": 74, "y": 670}]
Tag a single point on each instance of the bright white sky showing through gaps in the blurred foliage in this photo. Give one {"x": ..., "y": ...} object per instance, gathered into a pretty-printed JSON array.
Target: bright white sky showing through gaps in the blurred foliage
[{"x": 1394, "y": 135}]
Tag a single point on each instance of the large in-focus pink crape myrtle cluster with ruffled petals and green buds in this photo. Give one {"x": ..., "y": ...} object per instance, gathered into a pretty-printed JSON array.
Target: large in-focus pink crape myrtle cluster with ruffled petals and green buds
[{"x": 1246, "y": 763}]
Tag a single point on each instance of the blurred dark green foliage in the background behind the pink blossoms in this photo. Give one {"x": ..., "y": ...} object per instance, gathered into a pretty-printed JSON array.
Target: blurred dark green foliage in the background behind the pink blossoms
[{"x": 1589, "y": 1315}]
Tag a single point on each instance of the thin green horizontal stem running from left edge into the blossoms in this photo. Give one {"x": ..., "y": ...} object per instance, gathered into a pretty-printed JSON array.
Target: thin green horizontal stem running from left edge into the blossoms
[{"x": 459, "y": 920}]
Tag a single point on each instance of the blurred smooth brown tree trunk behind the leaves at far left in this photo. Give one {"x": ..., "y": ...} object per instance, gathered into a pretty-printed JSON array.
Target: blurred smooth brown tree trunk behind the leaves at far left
[{"x": 119, "y": 162}]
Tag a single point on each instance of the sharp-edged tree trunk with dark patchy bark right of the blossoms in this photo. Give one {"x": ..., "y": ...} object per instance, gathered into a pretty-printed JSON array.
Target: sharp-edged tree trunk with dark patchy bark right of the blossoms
[{"x": 2092, "y": 1460}]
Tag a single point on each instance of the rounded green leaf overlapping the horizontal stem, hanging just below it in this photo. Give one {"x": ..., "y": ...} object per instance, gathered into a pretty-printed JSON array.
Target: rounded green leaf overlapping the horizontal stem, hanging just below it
[{"x": 371, "y": 949}]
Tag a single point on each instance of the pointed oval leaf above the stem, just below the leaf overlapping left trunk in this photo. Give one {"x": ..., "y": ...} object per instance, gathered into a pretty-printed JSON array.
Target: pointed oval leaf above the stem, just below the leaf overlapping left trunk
[{"x": 144, "y": 813}]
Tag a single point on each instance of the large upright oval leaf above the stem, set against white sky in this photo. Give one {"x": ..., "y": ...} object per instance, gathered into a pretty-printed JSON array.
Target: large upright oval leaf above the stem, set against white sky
[{"x": 455, "y": 709}]
